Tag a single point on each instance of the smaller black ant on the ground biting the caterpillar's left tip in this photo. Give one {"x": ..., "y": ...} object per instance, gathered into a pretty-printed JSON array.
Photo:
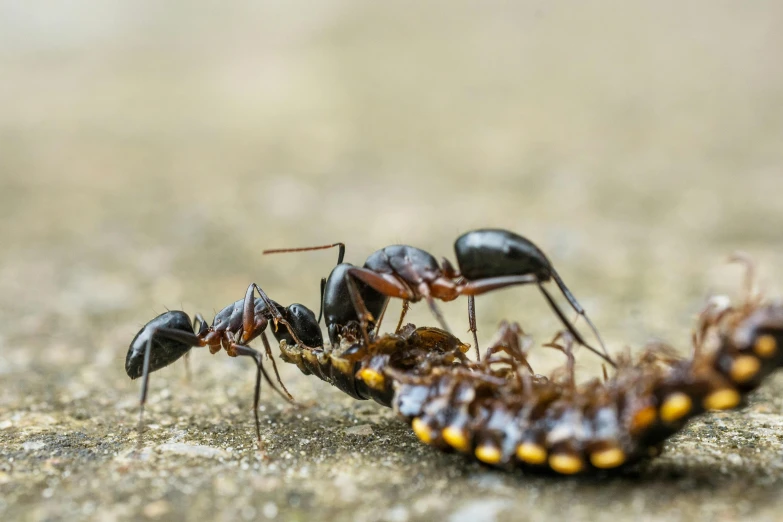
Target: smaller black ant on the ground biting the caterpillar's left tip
[{"x": 172, "y": 334}]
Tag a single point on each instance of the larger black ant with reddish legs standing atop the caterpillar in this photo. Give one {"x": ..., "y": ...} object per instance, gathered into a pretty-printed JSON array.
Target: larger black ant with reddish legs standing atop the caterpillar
[{"x": 488, "y": 259}]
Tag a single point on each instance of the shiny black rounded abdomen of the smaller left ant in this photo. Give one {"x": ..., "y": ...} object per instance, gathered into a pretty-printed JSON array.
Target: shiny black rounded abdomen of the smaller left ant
[{"x": 165, "y": 348}]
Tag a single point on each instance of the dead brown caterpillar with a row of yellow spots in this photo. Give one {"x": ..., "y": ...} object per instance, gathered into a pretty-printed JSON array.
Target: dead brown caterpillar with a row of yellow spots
[{"x": 503, "y": 414}]
